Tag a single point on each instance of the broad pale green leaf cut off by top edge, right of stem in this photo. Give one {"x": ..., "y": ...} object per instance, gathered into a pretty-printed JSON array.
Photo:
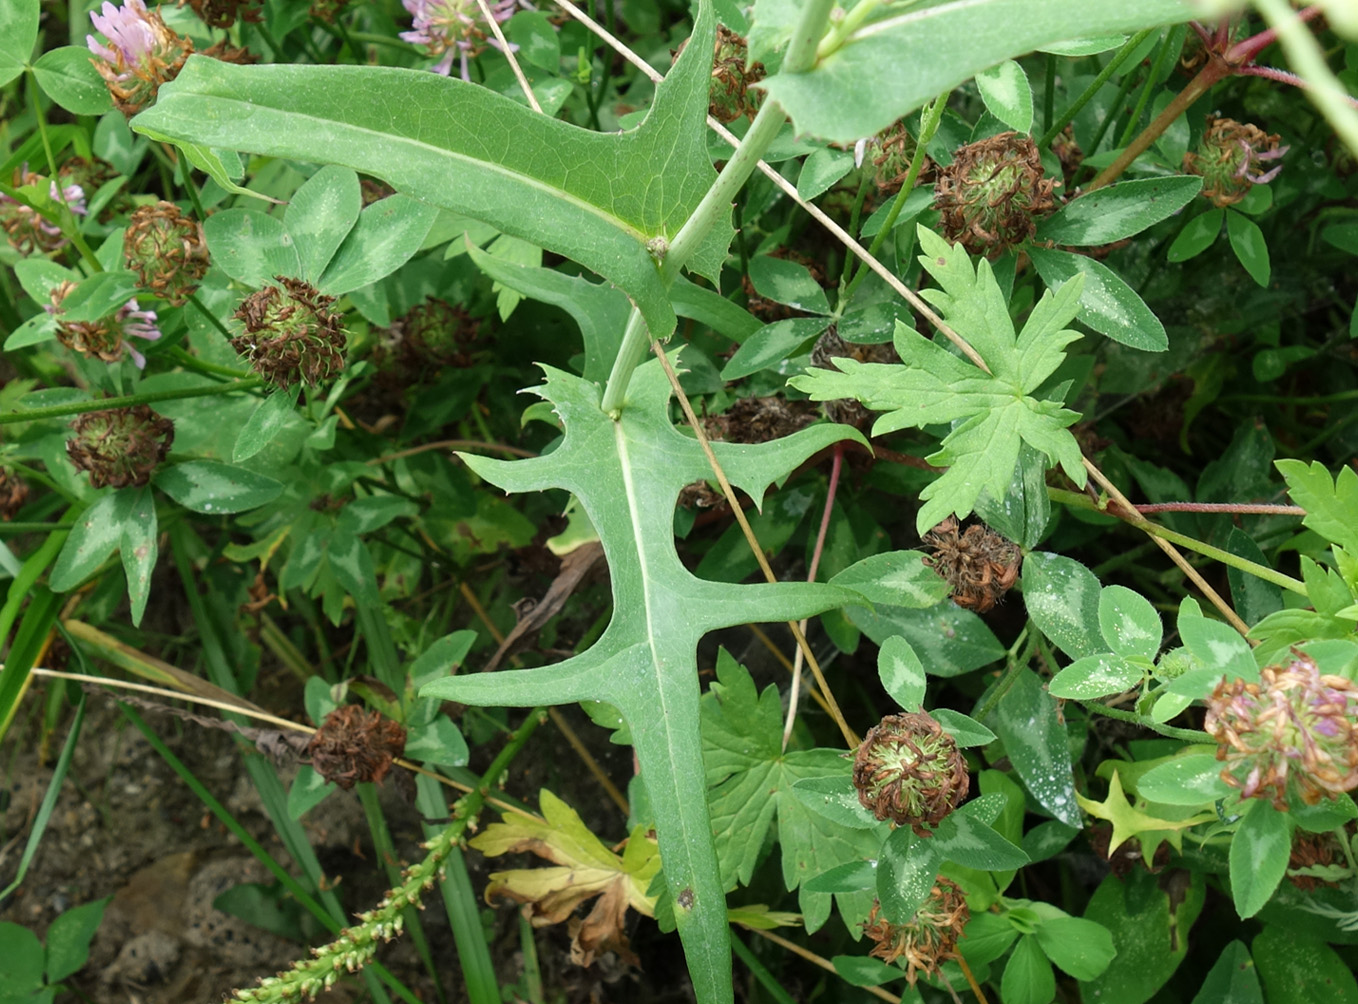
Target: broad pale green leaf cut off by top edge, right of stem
[{"x": 893, "y": 66}]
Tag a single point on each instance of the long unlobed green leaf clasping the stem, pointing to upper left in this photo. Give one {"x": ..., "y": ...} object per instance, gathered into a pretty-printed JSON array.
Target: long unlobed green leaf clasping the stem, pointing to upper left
[{"x": 593, "y": 198}]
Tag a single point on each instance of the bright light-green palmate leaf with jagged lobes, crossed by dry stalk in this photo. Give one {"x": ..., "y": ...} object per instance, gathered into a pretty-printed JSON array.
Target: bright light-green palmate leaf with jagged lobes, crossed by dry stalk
[{"x": 992, "y": 415}]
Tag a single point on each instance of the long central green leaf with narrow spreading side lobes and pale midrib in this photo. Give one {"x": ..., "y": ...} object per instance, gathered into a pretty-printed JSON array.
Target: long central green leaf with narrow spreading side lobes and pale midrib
[{"x": 628, "y": 476}]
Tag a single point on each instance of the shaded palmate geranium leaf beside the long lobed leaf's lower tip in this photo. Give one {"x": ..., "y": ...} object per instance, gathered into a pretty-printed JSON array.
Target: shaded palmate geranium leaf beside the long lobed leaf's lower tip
[{"x": 752, "y": 782}]
